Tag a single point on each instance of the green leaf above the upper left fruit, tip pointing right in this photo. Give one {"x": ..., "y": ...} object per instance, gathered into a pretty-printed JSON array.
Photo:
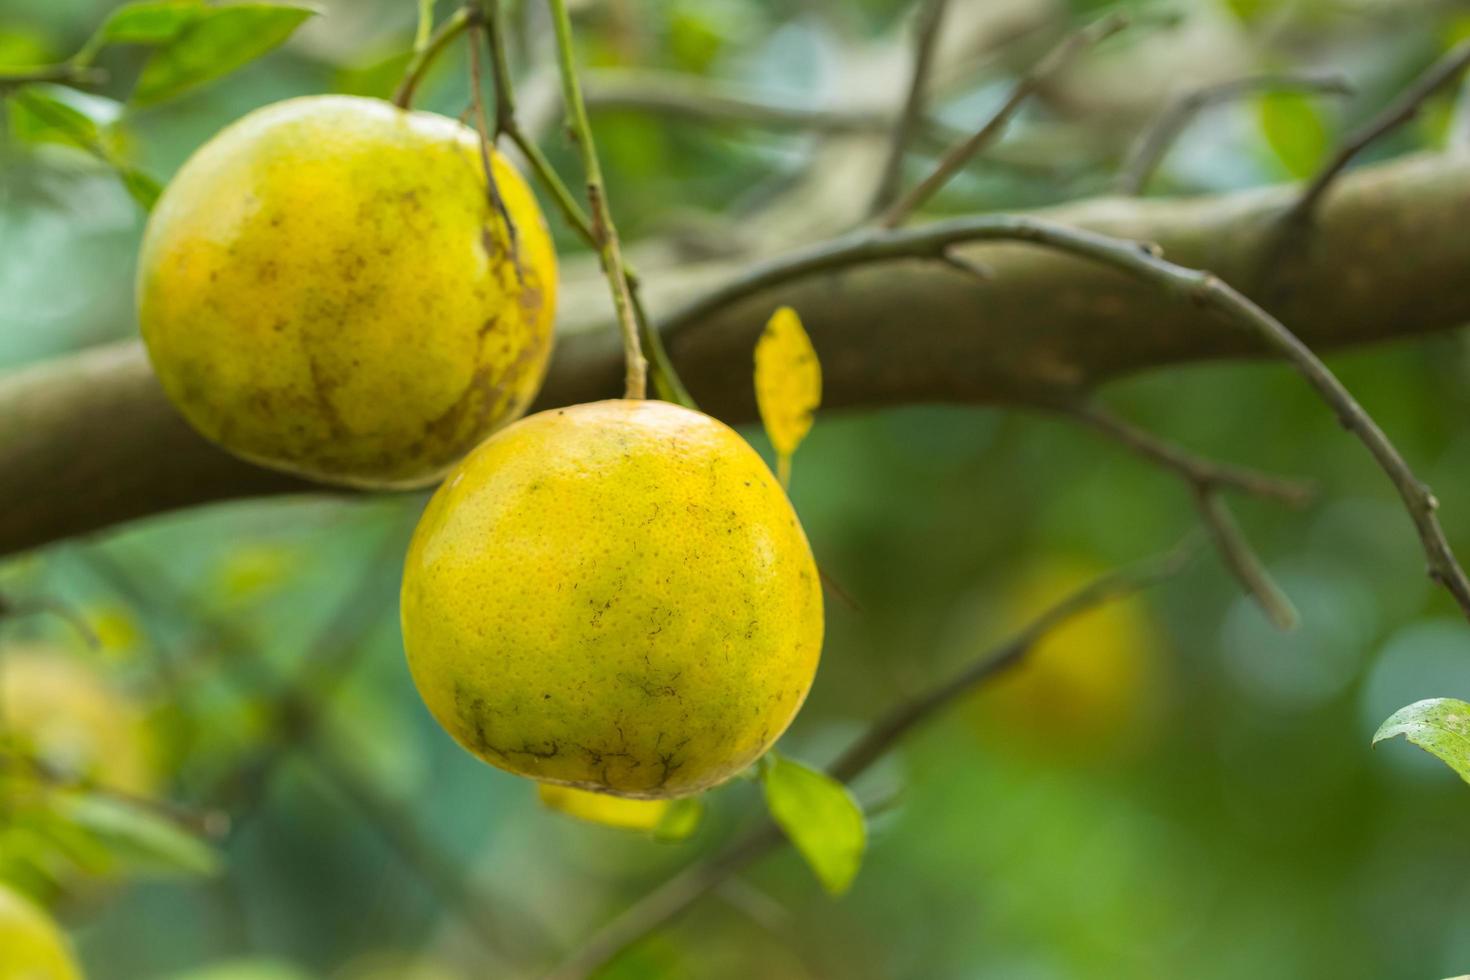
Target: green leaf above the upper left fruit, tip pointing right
[{"x": 218, "y": 42}]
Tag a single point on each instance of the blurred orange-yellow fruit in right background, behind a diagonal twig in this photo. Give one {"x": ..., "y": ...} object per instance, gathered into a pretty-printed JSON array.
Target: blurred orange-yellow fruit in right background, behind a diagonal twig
[{"x": 1089, "y": 688}]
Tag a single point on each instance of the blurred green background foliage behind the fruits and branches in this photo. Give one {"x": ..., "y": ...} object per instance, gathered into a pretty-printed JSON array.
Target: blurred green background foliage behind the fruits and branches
[{"x": 1172, "y": 788}]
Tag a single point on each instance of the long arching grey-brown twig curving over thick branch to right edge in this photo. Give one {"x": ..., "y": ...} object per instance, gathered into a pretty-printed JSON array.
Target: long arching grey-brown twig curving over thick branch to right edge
[{"x": 1141, "y": 262}]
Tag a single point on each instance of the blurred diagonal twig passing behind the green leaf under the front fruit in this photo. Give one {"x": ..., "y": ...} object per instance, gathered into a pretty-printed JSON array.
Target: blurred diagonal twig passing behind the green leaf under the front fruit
[{"x": 680, "y": 893}]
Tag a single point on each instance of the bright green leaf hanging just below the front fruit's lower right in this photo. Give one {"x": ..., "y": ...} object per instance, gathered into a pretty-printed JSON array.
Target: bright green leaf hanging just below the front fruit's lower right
[{"x": 820, "y": 816}]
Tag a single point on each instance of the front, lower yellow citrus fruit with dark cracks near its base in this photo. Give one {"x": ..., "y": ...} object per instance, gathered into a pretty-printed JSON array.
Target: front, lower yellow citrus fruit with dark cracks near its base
[{"x": 615, "y": 597}]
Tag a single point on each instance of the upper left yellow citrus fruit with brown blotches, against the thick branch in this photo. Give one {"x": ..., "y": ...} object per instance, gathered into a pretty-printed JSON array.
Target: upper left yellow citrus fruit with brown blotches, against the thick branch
[{"x": 327, "y": 289}]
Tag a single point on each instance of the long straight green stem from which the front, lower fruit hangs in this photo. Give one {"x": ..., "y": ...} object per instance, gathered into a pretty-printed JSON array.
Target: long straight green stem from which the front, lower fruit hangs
[{"x": 605, "y": 233}]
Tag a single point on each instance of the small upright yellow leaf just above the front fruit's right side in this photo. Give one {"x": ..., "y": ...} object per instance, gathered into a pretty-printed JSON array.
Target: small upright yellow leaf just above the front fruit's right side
[{"x": 789, "y": 386}]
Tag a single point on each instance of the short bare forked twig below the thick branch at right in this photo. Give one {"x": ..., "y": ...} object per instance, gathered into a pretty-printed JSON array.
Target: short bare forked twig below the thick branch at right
[{"x": 1208, "y": 480}]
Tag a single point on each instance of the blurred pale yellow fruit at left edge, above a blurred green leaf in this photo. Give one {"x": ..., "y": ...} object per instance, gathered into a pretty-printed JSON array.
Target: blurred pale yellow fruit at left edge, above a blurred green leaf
[{"x": 64, "y": 710}]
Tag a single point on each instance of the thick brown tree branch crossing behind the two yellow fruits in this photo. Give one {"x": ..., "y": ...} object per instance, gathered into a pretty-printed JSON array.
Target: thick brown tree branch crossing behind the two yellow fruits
[{"x": 89, "y": 440}]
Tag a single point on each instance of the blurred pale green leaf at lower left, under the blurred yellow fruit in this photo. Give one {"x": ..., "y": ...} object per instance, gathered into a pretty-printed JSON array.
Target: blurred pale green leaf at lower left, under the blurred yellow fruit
[{"x": 137, "y": 838}]
